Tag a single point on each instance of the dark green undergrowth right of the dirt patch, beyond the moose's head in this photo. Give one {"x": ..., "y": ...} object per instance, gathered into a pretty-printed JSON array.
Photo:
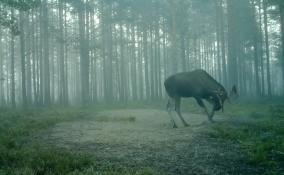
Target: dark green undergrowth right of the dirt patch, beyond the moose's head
[{"x": 259, "y": 130}]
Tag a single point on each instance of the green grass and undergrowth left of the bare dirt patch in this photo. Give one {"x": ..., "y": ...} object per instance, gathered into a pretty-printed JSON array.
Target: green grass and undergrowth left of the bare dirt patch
[{"x": 21, "y": 154}]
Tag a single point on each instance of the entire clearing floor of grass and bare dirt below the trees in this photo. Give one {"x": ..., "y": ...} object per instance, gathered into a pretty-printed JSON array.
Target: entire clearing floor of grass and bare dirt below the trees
[{"x": 140, "y": 140}]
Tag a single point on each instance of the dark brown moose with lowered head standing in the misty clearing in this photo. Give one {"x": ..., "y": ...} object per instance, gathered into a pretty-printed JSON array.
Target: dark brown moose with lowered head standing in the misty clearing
[{"x": 199, "y": 85}]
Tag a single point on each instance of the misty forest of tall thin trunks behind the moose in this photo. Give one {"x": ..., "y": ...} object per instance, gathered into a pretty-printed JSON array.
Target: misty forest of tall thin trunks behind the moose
[{"x": 82, "y": 52}]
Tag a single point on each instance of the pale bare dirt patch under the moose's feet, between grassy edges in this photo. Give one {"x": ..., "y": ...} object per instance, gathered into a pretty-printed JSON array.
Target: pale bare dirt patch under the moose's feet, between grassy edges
[{"x": 144, "y": 138}]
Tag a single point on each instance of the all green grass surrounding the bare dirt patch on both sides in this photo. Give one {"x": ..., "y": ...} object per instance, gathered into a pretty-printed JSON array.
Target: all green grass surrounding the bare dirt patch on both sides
[{"x": 257, "y": 128}]
